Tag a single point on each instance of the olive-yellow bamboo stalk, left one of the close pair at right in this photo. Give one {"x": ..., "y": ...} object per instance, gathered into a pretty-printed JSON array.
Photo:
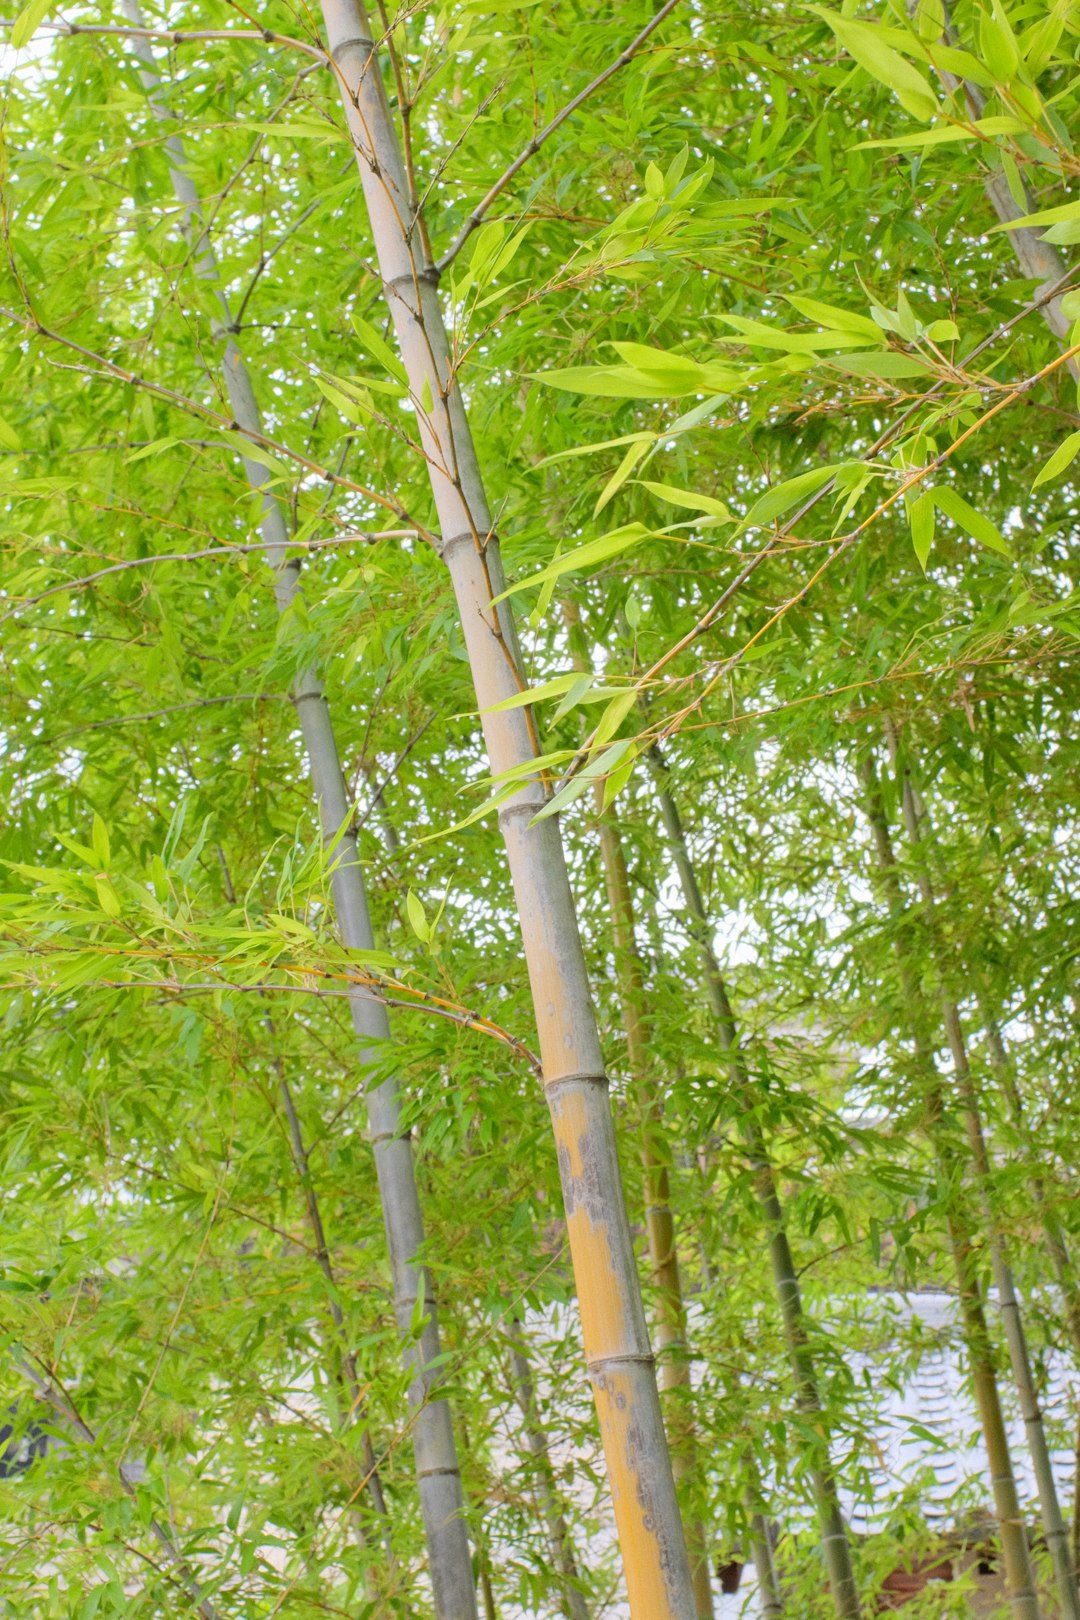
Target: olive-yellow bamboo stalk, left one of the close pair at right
[{"x": 1011, "y": 1525}]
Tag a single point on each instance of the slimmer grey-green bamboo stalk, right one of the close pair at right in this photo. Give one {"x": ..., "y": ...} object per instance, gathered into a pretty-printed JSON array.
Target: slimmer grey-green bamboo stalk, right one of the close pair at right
[{"x": 1050, "y": 1507}]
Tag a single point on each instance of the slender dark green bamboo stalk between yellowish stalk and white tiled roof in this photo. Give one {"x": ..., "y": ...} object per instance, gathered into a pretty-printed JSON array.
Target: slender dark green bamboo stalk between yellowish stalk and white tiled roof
[{"x": 833, "y": 1533}]
